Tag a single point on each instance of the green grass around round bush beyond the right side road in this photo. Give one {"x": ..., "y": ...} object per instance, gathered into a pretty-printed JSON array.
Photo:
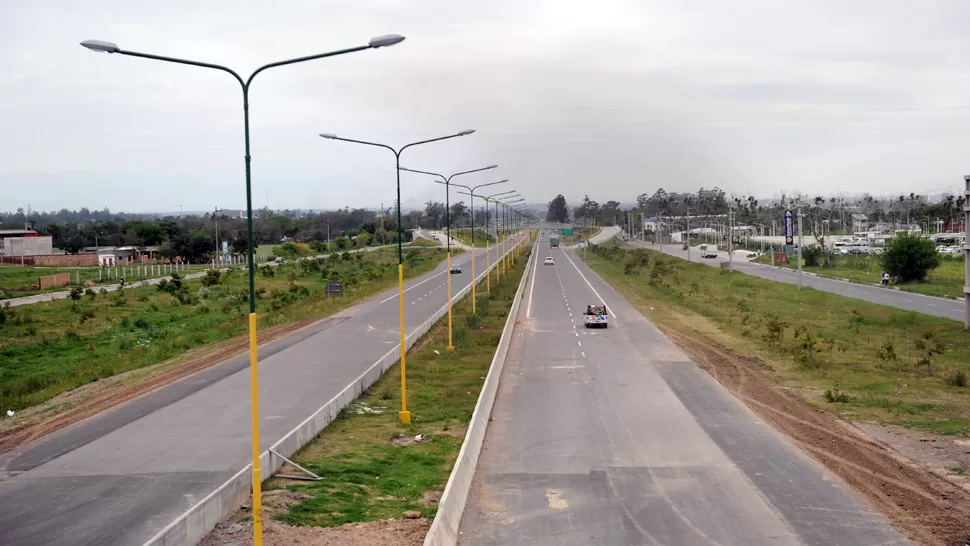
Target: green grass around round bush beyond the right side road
[{"x": 944, "y": 281}]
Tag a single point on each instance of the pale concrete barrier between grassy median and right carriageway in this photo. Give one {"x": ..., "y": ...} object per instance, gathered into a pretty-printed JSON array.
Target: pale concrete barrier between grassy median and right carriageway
[{"x": 444, "y": 528}]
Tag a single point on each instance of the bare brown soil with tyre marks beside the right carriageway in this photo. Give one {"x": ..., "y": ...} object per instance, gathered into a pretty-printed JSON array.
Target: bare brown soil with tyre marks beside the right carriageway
[{"x": 931, "y": 510}]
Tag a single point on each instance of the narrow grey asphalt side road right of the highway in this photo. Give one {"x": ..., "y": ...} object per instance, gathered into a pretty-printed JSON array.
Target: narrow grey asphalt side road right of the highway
[{"x": 928, "y": 305}]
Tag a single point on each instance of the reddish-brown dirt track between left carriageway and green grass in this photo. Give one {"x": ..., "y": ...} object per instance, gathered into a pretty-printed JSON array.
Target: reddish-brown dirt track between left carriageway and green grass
[{"x": 119, "y": 394}]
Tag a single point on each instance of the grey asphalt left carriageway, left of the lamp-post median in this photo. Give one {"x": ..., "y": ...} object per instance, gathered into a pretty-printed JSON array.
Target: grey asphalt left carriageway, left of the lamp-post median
[{"x": 122, "y": 476}]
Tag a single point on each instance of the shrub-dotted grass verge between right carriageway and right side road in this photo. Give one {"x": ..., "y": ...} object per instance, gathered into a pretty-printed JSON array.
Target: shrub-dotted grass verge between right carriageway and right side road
[{"x": 847, "y": 335}]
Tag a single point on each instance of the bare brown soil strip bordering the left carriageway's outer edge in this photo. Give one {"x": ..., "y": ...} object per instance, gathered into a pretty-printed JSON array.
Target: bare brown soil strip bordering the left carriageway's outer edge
[{"x": 89, "y": 400}]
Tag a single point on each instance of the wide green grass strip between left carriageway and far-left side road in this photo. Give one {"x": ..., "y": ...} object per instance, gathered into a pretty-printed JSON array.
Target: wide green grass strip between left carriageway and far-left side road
[{"x": 53, "y": 347}]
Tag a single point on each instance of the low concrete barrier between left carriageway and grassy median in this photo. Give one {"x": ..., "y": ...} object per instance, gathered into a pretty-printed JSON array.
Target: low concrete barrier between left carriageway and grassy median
[{"x": 194, "y": 524}]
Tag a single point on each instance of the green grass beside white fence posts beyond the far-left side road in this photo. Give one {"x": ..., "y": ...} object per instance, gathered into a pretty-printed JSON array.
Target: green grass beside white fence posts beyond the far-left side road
[{"x": 18, "y": 281}]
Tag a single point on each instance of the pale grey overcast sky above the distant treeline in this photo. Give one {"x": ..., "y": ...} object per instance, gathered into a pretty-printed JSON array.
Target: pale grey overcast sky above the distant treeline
[{"x": 609, "y": 97}]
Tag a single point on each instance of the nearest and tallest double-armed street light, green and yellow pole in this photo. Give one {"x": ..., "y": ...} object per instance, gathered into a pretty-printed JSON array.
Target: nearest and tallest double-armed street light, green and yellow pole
[{"x": 375, "y": 43}]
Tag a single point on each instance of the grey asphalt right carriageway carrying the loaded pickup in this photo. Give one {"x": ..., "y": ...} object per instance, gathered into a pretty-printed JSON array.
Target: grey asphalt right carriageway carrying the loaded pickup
[{"x": 614, "y": 437}]
